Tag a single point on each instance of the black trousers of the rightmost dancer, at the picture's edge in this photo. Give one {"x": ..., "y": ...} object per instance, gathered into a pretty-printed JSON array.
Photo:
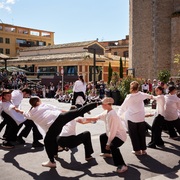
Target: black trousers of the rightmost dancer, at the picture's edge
[{"x": 172, "y": 125}]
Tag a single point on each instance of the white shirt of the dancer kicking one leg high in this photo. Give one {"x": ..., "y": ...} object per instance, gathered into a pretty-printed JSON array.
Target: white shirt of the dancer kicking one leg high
[{"x": 43, "y": 115}]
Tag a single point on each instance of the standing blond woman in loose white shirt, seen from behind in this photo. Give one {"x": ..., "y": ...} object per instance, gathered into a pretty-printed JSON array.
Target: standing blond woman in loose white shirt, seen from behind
[{"x": 133, "y": 107}]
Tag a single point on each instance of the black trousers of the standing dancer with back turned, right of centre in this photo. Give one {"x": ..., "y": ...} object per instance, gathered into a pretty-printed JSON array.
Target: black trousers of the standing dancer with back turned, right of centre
[{"x": 137, "y": 133}]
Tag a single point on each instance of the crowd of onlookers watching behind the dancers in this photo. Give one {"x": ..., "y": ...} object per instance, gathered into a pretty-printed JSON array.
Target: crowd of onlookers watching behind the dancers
[{"x": 19, "y": 80}]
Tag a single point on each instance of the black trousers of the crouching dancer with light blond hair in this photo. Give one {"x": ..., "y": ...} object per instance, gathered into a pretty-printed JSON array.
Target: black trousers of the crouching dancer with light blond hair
[{"x": 114, "y": 146}]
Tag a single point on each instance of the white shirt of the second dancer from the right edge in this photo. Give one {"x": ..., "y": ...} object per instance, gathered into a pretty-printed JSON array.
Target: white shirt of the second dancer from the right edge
[{"x": 160, "y": 100}]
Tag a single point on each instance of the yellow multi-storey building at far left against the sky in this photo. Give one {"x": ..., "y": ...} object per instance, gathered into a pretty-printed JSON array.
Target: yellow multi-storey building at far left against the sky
[{"x": 13, "y": 39}]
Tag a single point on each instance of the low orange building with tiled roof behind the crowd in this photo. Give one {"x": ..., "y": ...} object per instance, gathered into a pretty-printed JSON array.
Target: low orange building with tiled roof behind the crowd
[{"x": 72, "y": 58}]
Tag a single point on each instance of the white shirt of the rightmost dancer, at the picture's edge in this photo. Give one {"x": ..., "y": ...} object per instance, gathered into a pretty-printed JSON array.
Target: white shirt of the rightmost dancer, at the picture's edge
[{"x": 172, "y": 106}]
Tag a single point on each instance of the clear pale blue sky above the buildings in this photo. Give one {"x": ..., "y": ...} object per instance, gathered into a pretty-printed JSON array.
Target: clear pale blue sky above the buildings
[{"x": 71, "y": 20}]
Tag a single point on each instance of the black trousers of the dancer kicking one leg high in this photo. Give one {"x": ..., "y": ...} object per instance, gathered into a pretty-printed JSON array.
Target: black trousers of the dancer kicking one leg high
[{"x": 55, "y": 129}]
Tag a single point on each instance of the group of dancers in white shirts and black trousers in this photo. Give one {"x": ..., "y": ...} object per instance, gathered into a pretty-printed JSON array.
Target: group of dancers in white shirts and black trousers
[{"x": 58, "y": 125}]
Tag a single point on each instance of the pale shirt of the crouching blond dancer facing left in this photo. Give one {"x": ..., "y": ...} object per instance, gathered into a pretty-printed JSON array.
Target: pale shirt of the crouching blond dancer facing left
[{"x": 114, "y": 127}]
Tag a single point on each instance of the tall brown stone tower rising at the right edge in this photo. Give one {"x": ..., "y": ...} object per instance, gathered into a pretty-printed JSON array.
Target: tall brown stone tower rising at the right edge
[{"x": 154, "y": 36}]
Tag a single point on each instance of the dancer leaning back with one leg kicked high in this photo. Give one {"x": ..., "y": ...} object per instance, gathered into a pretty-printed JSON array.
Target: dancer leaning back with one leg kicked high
[{"x": 51, "y": 120}]
